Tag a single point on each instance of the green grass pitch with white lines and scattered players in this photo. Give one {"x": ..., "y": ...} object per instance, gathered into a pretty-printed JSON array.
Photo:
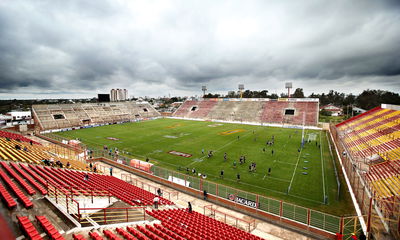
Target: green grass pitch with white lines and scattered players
[{"x": 154, "y": 139}]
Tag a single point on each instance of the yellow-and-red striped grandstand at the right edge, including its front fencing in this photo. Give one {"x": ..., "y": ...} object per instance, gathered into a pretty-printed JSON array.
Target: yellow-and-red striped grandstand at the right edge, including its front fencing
[{"x": 370, "y": 144}]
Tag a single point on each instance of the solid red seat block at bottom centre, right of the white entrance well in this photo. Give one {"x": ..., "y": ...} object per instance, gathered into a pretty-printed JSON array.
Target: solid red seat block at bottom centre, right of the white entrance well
[{"x": 198, "y": 226}]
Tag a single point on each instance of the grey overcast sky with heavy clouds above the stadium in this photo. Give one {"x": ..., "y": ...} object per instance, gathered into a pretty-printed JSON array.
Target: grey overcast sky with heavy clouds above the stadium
[{"x": 70, "y": 49}]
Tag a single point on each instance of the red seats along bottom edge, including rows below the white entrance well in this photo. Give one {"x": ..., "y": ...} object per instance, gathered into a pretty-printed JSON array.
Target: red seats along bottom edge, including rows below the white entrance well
[{"x": 176, "y": 224}]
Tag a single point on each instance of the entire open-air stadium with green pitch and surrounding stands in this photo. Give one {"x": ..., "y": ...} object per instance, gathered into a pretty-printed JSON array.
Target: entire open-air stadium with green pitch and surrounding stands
[{"x": 98, "y": 167}]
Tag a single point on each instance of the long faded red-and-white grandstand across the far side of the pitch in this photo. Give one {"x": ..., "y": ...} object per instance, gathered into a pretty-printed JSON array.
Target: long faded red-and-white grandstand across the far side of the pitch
[{"x": 282, "y": 111}]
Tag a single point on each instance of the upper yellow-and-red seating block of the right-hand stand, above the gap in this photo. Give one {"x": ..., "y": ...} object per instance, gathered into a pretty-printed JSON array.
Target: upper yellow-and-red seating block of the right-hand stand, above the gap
[{"x": 374, "y": 132}]
